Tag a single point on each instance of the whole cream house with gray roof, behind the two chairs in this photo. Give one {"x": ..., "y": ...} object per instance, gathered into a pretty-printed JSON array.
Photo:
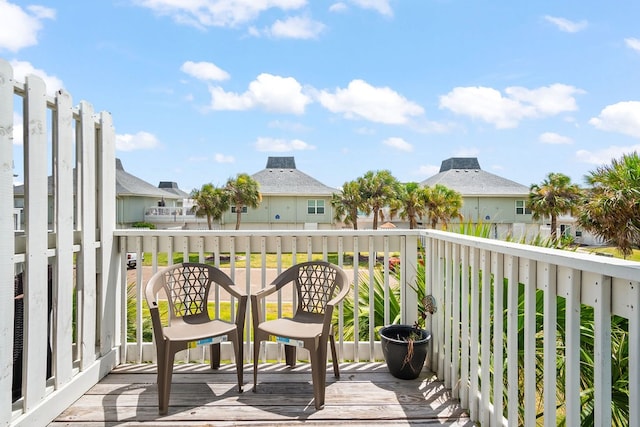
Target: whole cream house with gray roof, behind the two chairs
[{"x": 291, "y": 200}]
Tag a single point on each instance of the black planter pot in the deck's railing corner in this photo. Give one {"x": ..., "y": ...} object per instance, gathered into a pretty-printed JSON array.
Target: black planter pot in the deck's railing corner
[{"x": 396, "y": 346}]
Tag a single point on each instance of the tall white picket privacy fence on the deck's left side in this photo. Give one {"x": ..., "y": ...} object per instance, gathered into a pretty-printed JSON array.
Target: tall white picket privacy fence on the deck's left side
[{"x": 71, "y": 144}]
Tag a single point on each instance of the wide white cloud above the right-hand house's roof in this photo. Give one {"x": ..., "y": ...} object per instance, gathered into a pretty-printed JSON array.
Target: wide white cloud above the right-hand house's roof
[{"x": 489, "y": 105}]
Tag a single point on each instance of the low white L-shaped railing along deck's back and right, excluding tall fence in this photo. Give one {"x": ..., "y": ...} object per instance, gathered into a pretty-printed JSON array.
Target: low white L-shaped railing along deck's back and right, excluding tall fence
[{"x": 486, "y": 343}]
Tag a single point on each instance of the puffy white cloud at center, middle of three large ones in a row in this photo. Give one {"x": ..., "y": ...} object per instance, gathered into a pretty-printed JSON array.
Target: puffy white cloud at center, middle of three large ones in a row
[{"x": 360, "y": 100}]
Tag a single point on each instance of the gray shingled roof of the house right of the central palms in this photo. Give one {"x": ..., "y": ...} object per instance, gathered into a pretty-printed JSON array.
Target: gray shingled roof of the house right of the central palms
[{"x": 465, "y": 176}]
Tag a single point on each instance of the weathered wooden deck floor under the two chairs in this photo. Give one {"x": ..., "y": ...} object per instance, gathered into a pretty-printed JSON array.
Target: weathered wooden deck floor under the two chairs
[{"x": 366, "y": 394}]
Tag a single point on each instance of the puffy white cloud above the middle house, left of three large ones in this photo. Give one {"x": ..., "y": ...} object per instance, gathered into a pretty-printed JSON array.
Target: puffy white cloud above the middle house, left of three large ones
[{"x": 272, "y": 93}]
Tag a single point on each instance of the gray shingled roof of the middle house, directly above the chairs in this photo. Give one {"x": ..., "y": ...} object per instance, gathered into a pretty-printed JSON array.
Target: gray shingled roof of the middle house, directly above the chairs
[{"x": 281, "y": 177}]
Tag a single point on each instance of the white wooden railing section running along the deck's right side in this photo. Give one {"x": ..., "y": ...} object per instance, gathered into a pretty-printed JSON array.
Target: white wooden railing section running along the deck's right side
[{"x": 476, "y": 351}]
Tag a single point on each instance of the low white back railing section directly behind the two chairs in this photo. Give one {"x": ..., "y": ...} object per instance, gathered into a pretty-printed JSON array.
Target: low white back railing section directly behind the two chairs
[{"x": 209, "y": 245}]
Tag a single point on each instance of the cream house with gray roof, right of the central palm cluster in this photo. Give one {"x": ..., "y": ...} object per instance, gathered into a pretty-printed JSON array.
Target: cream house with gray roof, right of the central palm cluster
[{"x": 487, "y": 198}]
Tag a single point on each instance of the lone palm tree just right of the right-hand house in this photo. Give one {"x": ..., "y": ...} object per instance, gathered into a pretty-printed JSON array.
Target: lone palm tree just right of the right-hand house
[{"x": 555, "y": 196}]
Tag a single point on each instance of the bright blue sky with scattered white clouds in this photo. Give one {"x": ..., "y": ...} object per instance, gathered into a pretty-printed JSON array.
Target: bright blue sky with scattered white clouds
[{"x": 201, "y": 90}]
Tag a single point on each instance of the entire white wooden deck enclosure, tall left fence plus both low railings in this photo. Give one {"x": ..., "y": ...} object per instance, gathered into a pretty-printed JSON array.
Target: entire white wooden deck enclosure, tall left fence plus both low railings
[{"x": 475, "y": 352}]
